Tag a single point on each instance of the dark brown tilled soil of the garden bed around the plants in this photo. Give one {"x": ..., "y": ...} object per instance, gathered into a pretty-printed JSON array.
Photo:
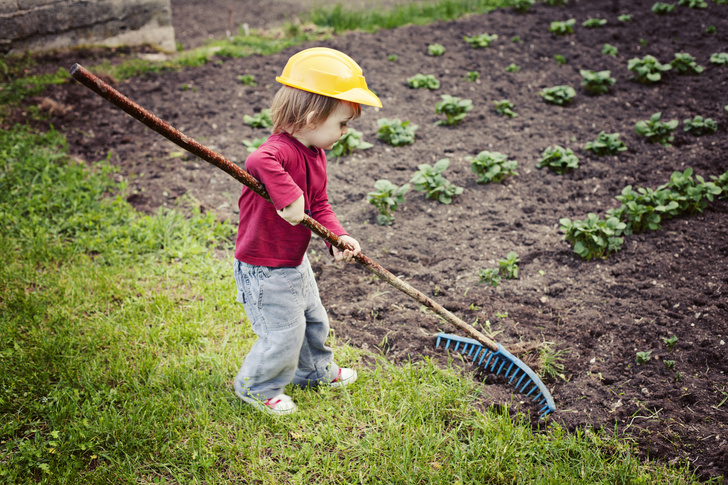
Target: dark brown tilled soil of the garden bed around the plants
[{"x": 600, "y": 313}]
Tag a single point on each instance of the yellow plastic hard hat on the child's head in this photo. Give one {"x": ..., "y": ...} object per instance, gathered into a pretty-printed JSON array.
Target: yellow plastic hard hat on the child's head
[{"x": 330, "y": 73}]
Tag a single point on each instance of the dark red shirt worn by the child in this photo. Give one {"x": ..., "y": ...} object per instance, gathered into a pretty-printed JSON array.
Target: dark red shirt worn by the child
[{"x": 287, "y": 169}]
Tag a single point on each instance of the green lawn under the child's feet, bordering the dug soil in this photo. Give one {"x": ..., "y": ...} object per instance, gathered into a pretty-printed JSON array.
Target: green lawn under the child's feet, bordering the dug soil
[{"x": 120, "y": 336}]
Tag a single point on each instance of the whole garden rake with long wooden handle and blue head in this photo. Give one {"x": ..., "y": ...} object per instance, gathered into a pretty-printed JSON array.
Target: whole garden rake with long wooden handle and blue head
[{"x": 483, "y": 350}]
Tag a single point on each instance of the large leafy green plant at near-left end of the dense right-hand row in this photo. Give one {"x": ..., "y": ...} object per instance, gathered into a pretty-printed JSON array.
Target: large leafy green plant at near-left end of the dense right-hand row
[{"x": 593, "y": 237}]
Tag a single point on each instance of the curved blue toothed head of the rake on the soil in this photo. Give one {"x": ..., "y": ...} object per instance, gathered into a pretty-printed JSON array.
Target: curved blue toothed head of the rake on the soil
[{"x": 526, "y": 381}]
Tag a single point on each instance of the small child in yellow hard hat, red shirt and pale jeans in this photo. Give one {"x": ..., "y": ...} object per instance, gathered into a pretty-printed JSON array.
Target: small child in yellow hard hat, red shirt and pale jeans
[{"x": 322, "y": 91}]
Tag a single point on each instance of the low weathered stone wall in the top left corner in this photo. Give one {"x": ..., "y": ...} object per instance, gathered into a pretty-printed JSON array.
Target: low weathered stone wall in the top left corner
[{"x": 52, "y": 24}]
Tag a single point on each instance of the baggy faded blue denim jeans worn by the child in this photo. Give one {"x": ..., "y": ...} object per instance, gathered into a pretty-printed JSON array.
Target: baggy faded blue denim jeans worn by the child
[{"x": 285, "y": 310}]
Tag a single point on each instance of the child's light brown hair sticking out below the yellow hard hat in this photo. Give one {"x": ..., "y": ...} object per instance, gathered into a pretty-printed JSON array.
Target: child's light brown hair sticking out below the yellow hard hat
[{"x": 291, "y": 107}]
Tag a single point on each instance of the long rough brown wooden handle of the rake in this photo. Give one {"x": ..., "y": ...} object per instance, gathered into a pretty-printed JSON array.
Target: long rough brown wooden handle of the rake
[{"x": 80, "y": 74}]
